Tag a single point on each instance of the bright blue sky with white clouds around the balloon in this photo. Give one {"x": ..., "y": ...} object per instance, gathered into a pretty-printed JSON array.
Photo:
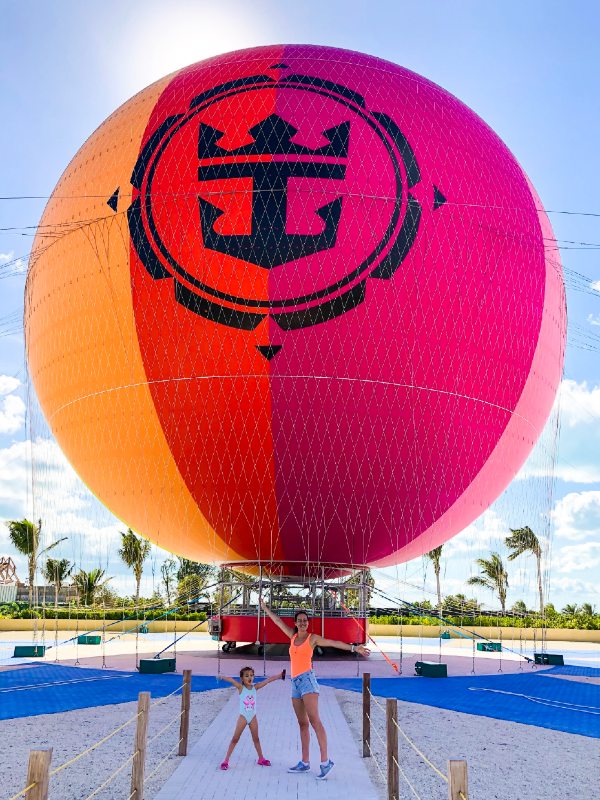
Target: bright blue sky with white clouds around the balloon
[{"x": 531, "y": 71}]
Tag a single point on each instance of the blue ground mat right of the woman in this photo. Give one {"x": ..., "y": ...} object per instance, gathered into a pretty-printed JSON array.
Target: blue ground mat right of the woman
[{"x": 530, "y": 698}]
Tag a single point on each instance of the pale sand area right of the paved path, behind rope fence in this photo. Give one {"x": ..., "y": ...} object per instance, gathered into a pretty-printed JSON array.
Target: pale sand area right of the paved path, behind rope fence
[{"x": 506, "y": 760}]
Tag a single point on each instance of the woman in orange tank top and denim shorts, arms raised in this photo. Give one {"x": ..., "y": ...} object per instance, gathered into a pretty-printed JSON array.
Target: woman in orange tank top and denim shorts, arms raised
[{"x": 305, "y": 689}]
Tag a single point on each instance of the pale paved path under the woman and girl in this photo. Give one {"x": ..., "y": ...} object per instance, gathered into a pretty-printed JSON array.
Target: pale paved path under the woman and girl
[{"x": 198, "y": 777}]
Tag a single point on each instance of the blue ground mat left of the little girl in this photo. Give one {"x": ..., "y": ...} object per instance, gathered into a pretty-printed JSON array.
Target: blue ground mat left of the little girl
[{"x": 49, "y": 689}]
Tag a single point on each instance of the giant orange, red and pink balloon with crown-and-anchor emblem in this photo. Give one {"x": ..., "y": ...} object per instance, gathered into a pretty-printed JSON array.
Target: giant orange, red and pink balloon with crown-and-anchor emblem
[{"x": 295, "y": 304}]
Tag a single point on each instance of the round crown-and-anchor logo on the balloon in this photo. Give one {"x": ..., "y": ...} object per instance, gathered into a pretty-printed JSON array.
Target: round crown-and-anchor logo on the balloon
[{"x": 275, "y": 198}]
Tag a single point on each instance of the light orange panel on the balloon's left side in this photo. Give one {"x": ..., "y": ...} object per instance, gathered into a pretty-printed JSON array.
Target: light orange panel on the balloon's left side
[{"x": 83, "y": 350}]
